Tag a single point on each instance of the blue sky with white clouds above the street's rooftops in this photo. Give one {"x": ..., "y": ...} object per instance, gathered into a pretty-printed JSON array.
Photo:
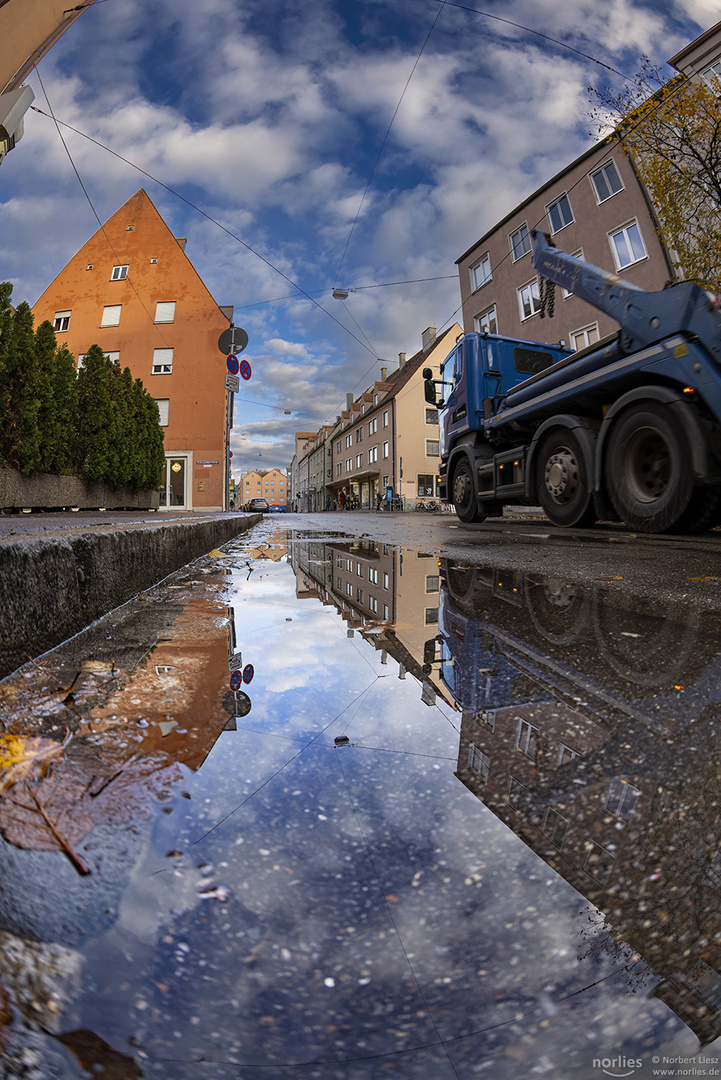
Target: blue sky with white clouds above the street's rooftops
[{"x": 306, "y": 146}]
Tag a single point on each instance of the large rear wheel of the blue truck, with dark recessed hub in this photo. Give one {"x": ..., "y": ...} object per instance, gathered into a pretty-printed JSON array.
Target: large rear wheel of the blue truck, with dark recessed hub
[{"x": 648, "y": 468}]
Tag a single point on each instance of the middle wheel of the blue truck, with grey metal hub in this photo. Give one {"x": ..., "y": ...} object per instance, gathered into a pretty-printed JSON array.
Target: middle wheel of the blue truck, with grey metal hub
[{"x": 562, "y": 483}]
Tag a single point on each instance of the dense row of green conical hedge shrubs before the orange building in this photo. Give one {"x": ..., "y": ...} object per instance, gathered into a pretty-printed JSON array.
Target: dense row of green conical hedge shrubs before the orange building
[{"x": 99, "y": 424}]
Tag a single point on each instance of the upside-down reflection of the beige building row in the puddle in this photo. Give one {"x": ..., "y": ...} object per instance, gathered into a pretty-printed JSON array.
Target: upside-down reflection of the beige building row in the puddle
[{"x": 387, "y": 595}]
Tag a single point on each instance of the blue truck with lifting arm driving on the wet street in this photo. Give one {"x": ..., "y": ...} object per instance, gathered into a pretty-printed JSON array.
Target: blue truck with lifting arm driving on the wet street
[{"x": 629, "y": 429}]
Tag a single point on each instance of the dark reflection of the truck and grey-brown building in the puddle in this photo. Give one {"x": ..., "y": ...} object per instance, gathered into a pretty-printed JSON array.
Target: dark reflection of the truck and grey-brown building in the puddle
[{"x": 591, "y": 730}]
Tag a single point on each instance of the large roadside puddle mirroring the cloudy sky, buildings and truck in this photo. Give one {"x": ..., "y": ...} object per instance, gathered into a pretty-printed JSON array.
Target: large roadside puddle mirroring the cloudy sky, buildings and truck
[{"x": 457, "y": 823}]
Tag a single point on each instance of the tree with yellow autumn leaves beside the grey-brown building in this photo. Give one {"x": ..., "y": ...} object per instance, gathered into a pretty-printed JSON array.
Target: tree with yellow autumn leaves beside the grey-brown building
[{"x": 672, "y": 133}]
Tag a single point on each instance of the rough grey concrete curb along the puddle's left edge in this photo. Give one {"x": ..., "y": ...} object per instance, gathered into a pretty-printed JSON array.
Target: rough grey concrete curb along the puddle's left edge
[{"x": 53, "y": 588}]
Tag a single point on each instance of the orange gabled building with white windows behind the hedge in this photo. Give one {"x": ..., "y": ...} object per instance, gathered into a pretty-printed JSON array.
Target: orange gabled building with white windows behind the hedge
[{"x": 133, "y": 291}]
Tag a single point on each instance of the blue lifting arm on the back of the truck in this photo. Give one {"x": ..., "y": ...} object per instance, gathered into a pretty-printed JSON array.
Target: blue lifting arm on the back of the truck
[{"x": 645, "y": 318}]
